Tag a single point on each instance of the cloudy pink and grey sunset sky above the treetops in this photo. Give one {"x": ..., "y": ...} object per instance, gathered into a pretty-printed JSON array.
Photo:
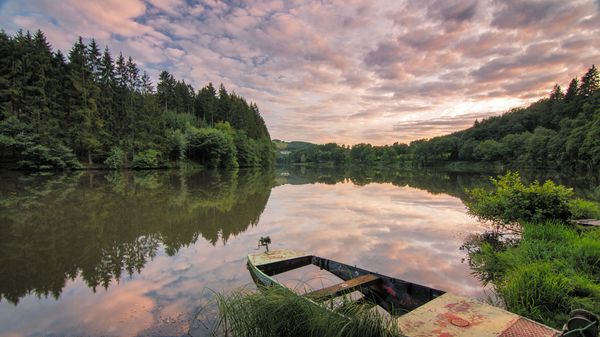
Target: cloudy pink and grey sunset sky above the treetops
[{"x": 343, "y": 71}]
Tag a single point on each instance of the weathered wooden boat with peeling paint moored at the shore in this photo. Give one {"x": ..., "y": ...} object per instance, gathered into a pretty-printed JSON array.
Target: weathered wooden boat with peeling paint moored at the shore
[{"x": 420, "y": 311}]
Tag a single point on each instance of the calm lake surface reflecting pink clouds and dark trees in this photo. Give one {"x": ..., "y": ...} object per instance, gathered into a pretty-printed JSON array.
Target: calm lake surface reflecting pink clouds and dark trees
[{"x": 140, "y": 253}]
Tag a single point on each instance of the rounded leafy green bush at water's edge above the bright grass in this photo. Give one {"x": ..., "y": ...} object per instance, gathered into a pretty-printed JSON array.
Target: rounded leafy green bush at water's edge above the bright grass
[{"x": 511, "y": 201}]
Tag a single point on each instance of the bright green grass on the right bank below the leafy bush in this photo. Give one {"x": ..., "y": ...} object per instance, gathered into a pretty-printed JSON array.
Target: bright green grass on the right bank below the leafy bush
[{"x": 553, "y": 269}]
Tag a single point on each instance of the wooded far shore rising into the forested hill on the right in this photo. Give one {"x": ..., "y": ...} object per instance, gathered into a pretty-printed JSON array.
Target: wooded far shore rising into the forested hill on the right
[{"x": 562, "y": 130}]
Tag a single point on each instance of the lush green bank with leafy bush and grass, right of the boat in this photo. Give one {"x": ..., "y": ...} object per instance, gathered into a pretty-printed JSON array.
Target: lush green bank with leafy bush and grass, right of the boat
[{"x": 540, "y": 264}]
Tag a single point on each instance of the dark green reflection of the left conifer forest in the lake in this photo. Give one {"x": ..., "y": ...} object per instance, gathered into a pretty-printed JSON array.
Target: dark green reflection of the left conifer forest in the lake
[{"x": 100, "y": 225}]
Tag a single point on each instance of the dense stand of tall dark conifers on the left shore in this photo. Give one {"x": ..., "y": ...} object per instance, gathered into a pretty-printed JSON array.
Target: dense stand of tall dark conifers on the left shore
[{"x": 57, "y": 110}]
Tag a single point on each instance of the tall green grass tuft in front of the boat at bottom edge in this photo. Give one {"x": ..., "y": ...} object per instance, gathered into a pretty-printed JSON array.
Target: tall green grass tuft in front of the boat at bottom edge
[{"x": 277, "y": 311}]
